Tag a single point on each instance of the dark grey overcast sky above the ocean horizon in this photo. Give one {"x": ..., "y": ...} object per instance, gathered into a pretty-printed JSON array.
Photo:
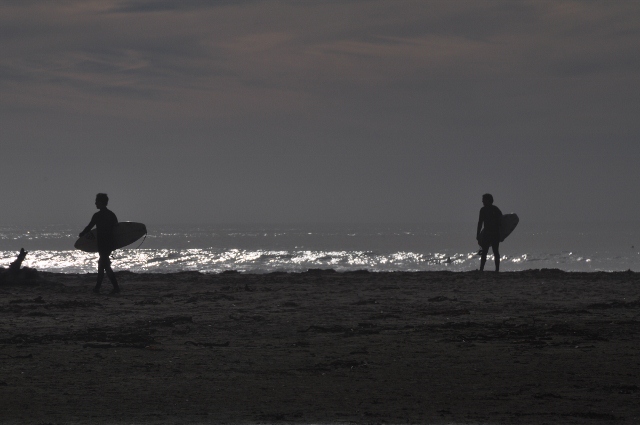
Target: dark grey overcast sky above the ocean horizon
[{"x": 196, "y": 111}]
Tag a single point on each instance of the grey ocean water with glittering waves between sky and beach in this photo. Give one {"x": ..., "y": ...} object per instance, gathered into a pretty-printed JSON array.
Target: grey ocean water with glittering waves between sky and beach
[{"x": 297, "y": 248}]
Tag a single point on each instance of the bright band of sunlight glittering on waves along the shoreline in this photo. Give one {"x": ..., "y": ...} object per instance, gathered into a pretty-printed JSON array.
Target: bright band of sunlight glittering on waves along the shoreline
[{"x": 265, "y": 261}]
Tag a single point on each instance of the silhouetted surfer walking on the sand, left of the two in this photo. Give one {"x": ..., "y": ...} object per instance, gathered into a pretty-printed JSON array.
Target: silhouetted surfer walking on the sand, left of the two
[{"x": 105, "y": 221}]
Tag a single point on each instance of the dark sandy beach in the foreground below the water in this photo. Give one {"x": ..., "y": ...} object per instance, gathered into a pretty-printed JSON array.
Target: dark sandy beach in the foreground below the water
[{"x": 527, "y": 347}]
